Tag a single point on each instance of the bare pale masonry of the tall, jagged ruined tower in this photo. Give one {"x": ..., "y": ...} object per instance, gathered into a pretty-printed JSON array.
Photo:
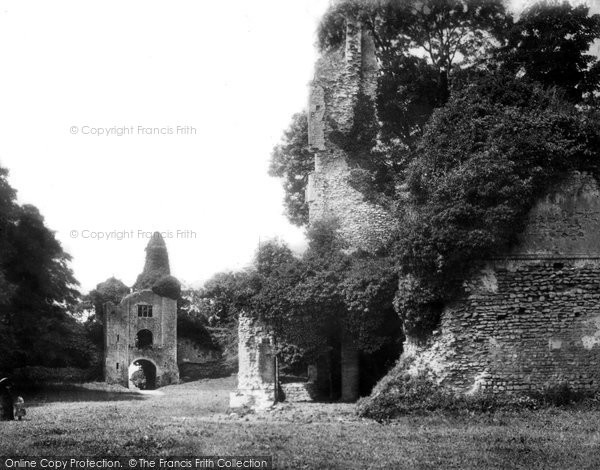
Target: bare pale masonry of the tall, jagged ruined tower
[{"x": 339, "y": 77}]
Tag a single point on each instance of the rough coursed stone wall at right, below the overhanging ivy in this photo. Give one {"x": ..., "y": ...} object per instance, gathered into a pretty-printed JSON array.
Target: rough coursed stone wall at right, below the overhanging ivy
[{"x": 531, "y": 319}]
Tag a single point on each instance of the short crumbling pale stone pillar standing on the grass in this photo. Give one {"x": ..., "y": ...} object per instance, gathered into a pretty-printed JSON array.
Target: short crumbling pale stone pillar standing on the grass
[{"x": 256, "y": 376}]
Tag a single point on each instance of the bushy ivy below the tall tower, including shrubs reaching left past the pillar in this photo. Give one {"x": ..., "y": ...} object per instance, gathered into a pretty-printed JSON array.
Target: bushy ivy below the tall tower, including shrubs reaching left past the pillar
[{"x": 308, "y": 301}]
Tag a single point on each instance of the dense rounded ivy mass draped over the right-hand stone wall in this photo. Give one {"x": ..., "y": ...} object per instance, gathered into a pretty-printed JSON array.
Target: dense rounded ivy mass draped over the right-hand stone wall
[{"x": 483, "y": 161}]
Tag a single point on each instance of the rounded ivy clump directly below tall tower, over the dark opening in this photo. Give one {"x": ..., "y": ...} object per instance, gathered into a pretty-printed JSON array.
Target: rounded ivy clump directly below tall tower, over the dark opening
[{"x": 309, "y": 300}]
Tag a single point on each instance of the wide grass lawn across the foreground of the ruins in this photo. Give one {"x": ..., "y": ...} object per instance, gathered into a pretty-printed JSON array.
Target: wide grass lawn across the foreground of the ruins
[{"x": 192, "y": 419}]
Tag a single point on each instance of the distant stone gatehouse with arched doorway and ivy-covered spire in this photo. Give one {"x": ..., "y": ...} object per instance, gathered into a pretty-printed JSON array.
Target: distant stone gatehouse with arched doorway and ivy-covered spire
[{"x": 141, "y": 332}]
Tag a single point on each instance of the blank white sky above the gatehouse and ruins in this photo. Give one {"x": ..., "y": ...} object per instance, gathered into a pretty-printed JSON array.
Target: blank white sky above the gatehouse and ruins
[{"x": 235, "y": 70}]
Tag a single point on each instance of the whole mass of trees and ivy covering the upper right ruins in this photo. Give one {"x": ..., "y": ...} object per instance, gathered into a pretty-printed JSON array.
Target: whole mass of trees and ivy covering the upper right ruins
[{"x": 477, "y": 116}]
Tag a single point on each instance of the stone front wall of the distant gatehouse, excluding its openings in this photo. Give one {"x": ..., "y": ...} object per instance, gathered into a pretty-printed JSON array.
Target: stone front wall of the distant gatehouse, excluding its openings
[{"x": 121, "y": 327}]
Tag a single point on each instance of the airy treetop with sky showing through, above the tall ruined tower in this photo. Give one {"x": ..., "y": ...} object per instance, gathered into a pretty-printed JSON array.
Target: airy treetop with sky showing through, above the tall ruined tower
[{"x": 448, "y": 33}]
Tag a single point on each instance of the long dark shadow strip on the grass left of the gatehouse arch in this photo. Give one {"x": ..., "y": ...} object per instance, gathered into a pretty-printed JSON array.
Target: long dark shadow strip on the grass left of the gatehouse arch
[{"x": 76, "y": 393}]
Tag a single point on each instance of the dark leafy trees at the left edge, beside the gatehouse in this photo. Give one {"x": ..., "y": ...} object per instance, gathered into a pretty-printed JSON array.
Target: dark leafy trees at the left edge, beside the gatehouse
[{"x": 38, "y": 292}]
